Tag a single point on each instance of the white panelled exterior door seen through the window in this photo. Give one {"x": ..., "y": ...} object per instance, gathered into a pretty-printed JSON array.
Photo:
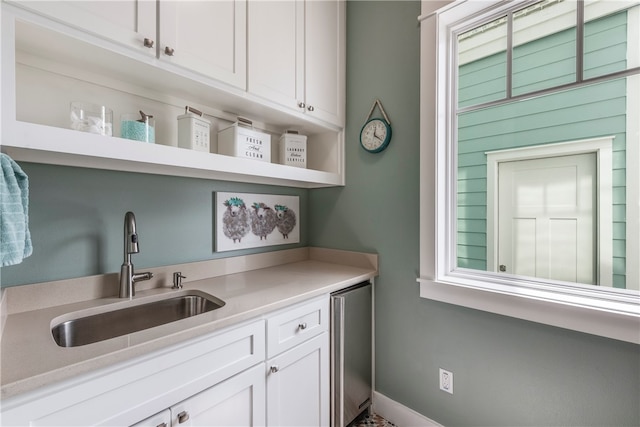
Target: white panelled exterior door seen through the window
[{"x": 547, "y": 218}]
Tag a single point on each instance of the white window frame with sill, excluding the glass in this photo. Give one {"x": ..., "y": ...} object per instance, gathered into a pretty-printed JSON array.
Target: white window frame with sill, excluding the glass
[{"x": 607, "y": 312}]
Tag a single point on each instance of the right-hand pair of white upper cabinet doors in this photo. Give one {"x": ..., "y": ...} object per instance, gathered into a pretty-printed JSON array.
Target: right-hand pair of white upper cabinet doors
[{"x": 296, "y": 55}]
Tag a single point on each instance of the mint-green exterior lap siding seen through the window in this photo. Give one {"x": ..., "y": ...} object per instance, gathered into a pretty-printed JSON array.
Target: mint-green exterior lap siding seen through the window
[{"x": 583, "y": 113}]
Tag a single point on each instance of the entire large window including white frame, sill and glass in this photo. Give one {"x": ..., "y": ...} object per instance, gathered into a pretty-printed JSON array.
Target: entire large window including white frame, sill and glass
[{"x": 511, "y": 144}]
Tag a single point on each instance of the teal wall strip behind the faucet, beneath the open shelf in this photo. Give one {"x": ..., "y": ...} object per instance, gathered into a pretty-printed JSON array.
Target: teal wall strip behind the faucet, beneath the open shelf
[{"x": 76, "y": 220}]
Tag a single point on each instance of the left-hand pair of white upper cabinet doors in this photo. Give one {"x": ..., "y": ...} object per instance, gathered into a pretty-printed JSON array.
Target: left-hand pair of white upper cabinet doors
[{"x": 208, "y": 37}]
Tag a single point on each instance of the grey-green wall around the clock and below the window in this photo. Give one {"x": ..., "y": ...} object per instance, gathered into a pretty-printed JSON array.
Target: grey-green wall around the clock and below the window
[{"x": 507, "y": 372}]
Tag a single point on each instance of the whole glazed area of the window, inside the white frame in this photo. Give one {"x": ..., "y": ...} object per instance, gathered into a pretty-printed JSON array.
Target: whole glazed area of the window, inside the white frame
[{"x": 568, "y": 233}]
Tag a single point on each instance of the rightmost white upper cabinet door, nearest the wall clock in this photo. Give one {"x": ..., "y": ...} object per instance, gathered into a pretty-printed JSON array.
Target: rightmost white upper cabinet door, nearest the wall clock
[{"x": 325, "y": 60}]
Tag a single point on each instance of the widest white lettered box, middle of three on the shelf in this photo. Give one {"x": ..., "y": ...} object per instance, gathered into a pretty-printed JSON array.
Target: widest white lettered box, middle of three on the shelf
[{"x": 240, "y": 141}]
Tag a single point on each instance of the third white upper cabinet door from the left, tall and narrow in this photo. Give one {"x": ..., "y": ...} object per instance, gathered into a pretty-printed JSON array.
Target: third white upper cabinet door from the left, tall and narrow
[{"x": 276, "y": 51}]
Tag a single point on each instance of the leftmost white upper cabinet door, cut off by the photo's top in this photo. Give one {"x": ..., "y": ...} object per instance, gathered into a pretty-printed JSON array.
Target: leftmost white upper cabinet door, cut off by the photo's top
[{"x": 127, "y": 22}]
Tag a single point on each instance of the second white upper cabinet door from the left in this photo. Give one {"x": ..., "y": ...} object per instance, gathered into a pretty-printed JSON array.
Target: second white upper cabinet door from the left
[{"x": 208, "y": 37}]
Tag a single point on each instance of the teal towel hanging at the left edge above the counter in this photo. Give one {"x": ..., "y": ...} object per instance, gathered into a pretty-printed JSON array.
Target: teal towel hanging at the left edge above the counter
[{"x": 15, "y": 243}]
